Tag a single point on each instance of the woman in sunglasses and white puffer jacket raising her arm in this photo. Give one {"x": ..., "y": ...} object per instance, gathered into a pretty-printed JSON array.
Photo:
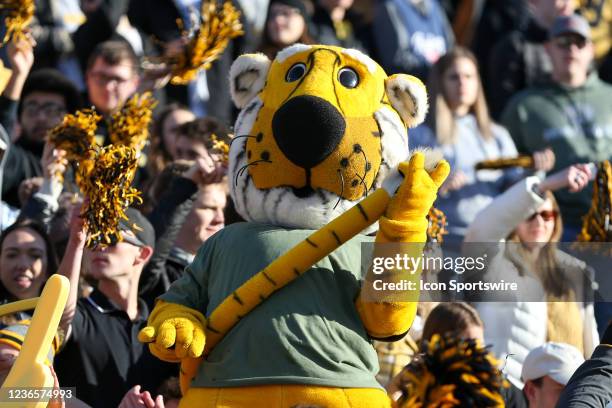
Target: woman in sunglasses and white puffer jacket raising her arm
[{"x": 551, "y": 304}]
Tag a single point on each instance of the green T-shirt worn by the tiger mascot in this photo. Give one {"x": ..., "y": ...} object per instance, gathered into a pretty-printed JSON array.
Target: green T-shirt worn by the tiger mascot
[{"x": 309, "y": 332}]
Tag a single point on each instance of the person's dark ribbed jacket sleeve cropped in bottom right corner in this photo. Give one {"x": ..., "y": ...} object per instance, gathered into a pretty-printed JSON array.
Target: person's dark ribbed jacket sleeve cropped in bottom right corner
[{"x": 591, "y": 384}]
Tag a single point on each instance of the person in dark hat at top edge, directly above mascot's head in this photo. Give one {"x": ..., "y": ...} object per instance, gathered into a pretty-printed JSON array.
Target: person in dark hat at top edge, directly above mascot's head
[{"x": 286, "y": 24}]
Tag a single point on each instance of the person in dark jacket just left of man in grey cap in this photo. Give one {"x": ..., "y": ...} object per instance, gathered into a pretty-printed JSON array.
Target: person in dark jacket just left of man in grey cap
[{"x": 522, "y": 54}]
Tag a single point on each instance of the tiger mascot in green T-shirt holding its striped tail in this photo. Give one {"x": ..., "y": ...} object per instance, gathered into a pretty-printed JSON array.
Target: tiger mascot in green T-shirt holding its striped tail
[{"x": 271, "y": 312}]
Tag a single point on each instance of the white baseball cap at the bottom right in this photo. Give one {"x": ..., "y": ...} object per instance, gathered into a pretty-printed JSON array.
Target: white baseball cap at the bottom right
[{"x": 556, "y": 360}]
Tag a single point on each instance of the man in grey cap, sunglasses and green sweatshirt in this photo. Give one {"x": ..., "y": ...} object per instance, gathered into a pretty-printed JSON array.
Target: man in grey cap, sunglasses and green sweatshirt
[{"x": 570, "y": 115}]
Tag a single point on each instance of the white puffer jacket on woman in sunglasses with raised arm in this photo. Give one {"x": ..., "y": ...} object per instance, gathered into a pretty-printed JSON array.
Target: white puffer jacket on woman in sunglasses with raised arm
[{"x": 514, "y": 328}]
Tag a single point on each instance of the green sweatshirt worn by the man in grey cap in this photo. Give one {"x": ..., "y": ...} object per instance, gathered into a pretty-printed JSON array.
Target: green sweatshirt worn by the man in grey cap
[{"x": 576, "y": 123}]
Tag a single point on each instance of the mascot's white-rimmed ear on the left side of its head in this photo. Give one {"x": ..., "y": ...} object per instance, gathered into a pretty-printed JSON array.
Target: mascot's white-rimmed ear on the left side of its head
[{"x": 247, "y": 77}]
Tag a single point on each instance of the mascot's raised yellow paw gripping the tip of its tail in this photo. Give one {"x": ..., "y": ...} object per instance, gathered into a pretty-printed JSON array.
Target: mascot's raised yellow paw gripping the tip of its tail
[{"x": 417, "y": 193}]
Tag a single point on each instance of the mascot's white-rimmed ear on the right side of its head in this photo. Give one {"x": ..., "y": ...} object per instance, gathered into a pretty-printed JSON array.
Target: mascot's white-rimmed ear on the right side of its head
[{"x": 408, "y": 97}]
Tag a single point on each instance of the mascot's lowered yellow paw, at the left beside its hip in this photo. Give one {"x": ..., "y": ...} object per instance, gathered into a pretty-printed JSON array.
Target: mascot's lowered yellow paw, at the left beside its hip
[{"x": 173, "y": 325}]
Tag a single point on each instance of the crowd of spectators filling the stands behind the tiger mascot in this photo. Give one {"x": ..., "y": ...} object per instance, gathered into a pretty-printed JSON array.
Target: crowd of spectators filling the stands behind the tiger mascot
[{"x": 504, "y": 78}]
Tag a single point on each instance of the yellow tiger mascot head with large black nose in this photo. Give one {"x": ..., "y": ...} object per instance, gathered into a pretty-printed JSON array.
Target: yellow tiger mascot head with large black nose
[{"x": 320, "y": 127}]
